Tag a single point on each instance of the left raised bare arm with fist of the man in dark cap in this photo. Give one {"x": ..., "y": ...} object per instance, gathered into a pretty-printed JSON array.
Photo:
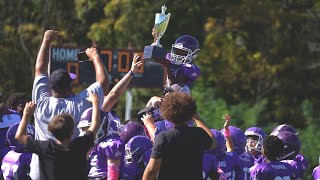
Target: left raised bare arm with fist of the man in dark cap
[{"x": 42, "y": 61}]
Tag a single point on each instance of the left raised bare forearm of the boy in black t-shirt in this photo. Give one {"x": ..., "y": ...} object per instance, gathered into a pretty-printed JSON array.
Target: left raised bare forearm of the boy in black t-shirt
[{"x": 21, "y": 134}]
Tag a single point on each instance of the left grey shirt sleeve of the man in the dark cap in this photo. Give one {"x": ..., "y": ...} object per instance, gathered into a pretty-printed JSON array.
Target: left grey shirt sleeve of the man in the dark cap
[{"x": 40, "y": 88}]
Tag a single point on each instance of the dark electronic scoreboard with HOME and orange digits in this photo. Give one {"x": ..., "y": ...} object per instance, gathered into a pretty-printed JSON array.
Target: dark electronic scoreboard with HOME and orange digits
[{"x": 117, "y": 63}]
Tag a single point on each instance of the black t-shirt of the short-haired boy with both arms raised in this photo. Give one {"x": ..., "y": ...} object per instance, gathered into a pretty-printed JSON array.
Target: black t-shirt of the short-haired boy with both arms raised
[{"x": 59, "y": 163}]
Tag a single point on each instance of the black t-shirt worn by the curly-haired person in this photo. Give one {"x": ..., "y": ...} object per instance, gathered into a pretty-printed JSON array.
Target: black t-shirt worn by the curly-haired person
[{"x": 181, "y": 150}]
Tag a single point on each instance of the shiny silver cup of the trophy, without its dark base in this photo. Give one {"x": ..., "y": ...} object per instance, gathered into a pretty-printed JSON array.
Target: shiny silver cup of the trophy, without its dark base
[{"x": 160, "y": 25}]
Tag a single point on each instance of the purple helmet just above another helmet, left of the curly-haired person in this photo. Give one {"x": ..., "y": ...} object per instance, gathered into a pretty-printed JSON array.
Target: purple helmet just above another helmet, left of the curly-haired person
[{"x": 130, "y": 130}]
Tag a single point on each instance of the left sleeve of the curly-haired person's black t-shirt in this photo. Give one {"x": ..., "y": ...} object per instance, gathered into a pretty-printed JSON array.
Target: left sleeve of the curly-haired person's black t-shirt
[{"x": 159, "y": 147}]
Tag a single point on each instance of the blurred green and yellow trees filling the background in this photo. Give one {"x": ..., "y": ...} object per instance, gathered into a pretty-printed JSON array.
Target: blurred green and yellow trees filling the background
[{"x": 259, "y": 59}]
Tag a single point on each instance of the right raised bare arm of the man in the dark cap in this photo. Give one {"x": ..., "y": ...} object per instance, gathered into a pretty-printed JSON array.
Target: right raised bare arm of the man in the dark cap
[{"x": 101, "y": 72}]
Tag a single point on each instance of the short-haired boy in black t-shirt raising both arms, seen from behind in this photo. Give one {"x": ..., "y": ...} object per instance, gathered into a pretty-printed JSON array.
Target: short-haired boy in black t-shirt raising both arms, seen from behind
[{"x": 61, "y": 158}]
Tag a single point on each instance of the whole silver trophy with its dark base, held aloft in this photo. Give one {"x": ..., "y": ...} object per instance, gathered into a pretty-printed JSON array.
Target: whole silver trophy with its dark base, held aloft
[{"x": 155, "y": 51}]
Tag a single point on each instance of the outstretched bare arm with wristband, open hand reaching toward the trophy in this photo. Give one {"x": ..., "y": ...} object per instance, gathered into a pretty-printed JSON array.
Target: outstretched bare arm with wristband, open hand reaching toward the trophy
[{"x": 121, "y": 86}]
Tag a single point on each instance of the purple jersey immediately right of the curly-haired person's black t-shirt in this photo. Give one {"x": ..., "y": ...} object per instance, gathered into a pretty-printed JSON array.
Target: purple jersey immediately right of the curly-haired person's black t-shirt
[{"x": 209, "y": 163}]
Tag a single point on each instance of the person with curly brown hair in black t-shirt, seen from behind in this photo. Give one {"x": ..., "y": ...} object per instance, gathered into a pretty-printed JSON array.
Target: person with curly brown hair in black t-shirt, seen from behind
[{"x": 177, "y": 152}]
